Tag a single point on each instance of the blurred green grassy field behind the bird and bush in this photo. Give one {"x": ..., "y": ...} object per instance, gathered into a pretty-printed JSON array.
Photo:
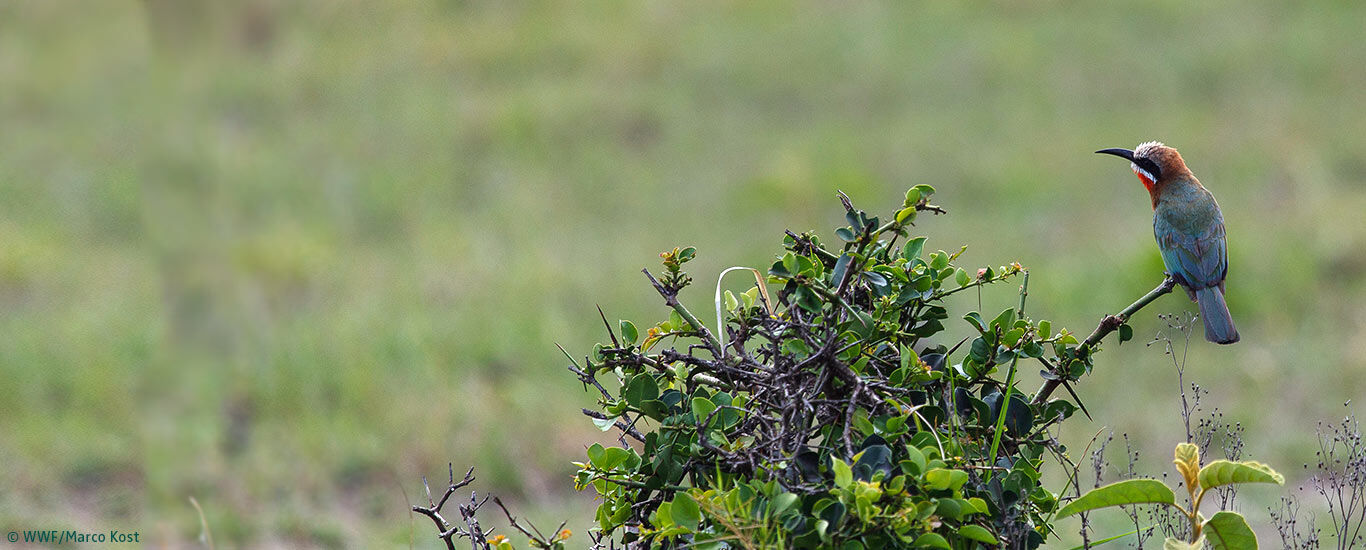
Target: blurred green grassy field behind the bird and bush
[{"x": 288, "y": 260}]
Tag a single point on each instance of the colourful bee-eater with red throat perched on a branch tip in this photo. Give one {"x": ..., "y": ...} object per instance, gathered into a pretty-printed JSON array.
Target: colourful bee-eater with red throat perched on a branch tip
[{"x": 1190, "y": 233}]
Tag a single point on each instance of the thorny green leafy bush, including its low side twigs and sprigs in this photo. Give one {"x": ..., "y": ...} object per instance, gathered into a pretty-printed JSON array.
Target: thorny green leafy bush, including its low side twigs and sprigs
[{"x": 835, "y": 413}]
